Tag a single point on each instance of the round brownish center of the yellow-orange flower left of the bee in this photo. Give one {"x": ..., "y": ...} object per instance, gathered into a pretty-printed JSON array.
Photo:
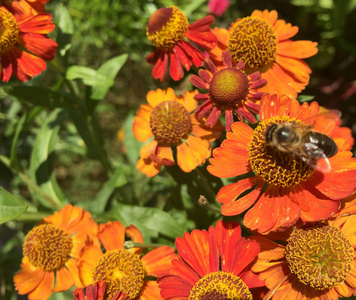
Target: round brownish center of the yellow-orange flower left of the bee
[{"x": 170, "y": 123}]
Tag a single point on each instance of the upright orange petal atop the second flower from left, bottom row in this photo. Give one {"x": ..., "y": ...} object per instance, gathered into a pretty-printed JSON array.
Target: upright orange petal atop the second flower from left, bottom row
[{"x": 112, "y": 235}]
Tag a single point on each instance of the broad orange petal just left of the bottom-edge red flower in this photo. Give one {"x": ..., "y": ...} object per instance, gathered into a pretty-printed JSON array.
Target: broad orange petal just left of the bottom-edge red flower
[{"x": 158, "y": 261}]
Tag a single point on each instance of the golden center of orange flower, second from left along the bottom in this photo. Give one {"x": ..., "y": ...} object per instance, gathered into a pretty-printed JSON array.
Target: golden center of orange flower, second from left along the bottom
[{"x": 122, "y": 271}]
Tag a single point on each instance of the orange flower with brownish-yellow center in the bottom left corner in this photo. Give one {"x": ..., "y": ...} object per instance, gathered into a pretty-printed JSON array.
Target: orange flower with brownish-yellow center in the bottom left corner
[{"x": 51, "y": 250}]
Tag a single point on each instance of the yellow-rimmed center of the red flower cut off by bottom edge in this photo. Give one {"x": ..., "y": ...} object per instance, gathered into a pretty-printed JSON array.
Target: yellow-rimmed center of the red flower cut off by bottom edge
[{"x": 220, "y": 285}]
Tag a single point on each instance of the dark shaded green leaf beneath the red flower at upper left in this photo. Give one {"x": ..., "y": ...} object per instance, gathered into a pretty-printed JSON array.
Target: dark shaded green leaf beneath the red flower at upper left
[{"x": 40, "y": 96}]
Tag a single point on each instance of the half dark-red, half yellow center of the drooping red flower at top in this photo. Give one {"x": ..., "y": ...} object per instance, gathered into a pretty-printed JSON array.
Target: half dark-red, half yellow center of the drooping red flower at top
[{"x": 166, "y": 27}]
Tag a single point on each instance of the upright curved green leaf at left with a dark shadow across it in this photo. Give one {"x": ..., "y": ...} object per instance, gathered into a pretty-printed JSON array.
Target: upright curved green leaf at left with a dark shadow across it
[{"x": 41, "y": 162}]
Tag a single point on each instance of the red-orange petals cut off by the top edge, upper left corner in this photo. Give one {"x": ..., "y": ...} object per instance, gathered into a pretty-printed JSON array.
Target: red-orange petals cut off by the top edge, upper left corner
[{"x": 32, "y": 7}]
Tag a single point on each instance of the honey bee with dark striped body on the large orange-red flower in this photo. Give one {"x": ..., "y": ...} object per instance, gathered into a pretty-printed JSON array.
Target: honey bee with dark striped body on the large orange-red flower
[{"x": 299, "y": 139}]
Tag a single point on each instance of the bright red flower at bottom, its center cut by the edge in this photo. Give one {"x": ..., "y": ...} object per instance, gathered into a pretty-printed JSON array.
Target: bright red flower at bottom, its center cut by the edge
[{"x": 212, "y": 264}]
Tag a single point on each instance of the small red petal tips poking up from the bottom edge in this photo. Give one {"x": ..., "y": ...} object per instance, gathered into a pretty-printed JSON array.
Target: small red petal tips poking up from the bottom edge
[{"x": 96, "y": 291}]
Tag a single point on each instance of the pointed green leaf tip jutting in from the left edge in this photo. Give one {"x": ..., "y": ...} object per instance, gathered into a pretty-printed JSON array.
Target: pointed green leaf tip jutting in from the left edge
[{"x": 10, "y": 206}]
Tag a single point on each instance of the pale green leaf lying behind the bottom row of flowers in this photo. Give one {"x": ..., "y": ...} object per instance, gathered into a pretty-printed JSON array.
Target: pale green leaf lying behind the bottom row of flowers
[{"x": 151, "y": 221}]
